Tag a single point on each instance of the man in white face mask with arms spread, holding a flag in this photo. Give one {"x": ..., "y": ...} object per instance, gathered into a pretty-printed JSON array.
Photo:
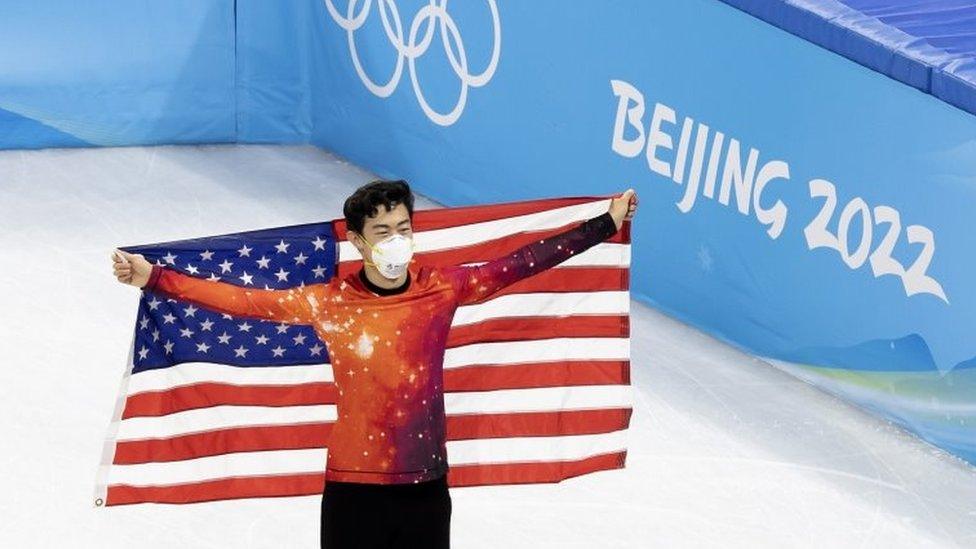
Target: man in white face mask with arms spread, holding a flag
[{"x": 385, "y": 329}]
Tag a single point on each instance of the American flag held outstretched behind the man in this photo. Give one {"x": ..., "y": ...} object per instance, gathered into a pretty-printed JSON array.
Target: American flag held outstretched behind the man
[{"x": 537, "y": 378}]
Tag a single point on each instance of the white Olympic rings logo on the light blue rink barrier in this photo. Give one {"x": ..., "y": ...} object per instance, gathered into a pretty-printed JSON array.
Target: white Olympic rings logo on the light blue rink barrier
[{"x": 435, "y": 12}]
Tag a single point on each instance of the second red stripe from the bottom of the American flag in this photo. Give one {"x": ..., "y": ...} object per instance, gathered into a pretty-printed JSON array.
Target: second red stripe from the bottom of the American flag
[{"x": 251, "y": 439}]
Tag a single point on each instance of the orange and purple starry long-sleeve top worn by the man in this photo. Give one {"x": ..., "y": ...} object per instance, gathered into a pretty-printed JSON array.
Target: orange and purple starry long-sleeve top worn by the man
[{"x": 386, "y": 351}]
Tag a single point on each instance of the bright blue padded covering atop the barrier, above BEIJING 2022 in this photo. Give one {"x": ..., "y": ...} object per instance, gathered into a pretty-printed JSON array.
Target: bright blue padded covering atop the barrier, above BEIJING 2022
[{"x": 927, "y": 44}]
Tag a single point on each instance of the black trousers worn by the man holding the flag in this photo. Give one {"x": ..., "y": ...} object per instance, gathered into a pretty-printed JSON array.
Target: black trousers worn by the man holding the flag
[{"x": 381, "y": 516}]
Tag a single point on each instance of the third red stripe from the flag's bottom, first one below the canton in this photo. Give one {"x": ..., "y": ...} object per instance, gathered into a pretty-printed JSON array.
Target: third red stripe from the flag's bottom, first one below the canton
[{"x": 472, "y": 378}]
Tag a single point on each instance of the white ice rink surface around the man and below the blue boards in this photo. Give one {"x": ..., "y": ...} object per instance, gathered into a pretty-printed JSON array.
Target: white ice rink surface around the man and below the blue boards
[{"x": 725, "y": 451}]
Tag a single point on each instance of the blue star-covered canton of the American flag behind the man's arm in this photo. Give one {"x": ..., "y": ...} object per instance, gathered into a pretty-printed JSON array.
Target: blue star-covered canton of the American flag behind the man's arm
[{"x": 169, "y": 331}]
